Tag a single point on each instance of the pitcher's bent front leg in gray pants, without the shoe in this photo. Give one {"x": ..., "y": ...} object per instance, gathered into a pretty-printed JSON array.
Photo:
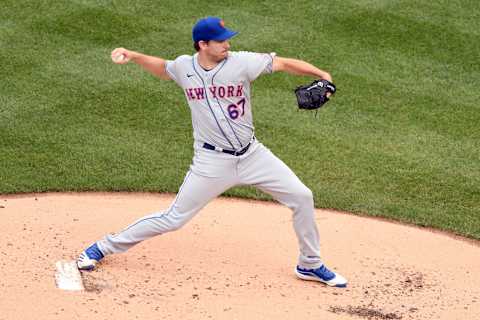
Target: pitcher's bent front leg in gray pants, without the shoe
[{"x": 265, "y": 171}]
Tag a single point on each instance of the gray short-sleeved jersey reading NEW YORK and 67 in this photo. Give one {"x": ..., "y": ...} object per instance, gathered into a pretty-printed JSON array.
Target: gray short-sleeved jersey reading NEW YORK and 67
[{"x": 219, "y": 99}]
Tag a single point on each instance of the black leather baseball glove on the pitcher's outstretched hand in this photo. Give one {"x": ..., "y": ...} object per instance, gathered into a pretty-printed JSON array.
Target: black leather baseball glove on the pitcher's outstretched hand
[{"x": 314, "y": 95}]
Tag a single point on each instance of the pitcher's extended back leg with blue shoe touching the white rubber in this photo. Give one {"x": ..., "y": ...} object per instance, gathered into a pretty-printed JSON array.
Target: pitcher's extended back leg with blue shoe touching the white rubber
[{"x": 210, "y": 174}]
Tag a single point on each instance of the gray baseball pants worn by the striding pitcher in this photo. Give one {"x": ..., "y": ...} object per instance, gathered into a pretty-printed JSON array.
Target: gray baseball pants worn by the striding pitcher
[{"x": 212, "y": 173}]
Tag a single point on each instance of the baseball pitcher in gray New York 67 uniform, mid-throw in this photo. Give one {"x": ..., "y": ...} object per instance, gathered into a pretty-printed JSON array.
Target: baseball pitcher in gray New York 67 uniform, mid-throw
[{"x": 216, "y": 84}]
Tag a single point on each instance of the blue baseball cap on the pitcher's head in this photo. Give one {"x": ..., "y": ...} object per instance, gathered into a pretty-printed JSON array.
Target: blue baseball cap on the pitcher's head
[{"x": 211, "y": 28}]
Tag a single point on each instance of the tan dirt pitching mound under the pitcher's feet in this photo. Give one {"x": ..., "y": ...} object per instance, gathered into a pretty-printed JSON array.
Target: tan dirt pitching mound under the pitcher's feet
[{"x": 235, "y": 260}]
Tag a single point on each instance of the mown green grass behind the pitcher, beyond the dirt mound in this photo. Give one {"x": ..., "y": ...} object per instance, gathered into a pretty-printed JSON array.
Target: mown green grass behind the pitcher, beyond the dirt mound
[{"x": 401, "y": 139}]
